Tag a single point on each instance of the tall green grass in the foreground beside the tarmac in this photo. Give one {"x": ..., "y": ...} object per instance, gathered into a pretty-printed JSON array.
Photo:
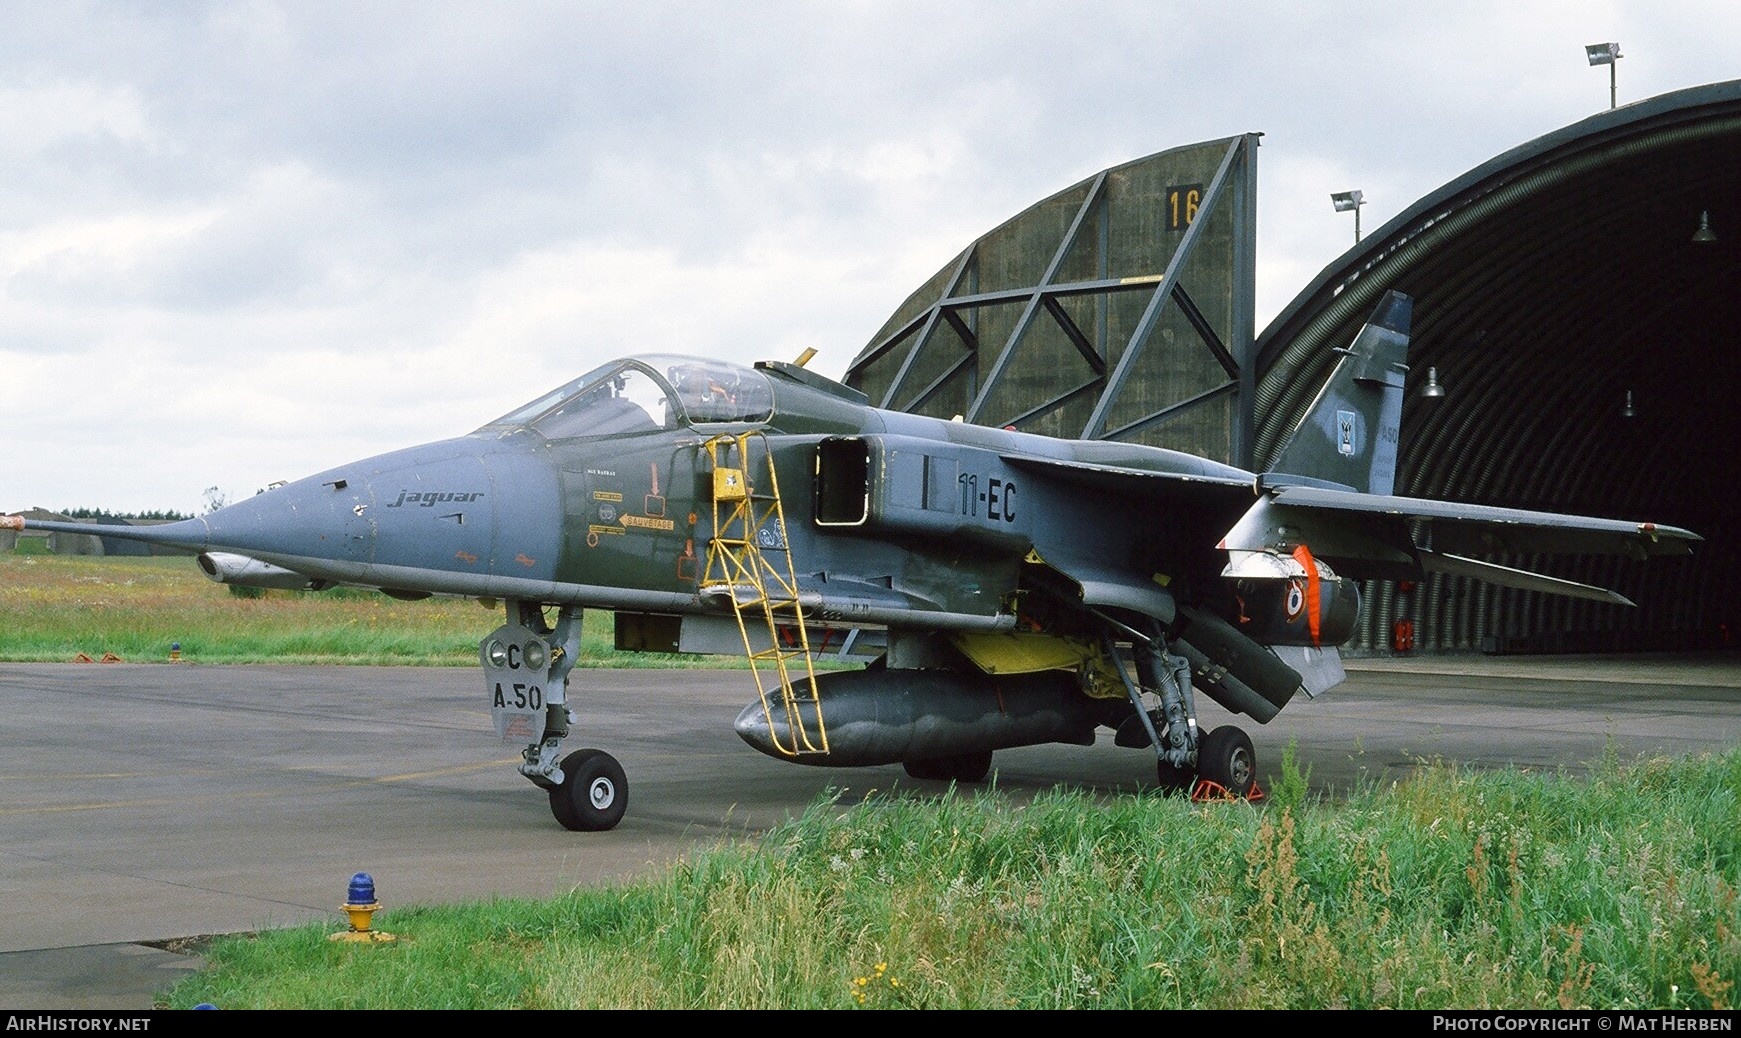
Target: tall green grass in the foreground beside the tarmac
[{"x": 1453, "y": 891}]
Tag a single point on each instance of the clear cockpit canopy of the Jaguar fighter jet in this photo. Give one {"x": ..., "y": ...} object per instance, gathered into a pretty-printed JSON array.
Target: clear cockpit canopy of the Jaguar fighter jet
[{"x": 649, "y": 394}]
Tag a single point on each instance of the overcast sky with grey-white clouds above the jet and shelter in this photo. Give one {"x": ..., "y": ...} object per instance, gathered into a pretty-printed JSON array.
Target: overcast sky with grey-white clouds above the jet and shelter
[{"x": 250, "y": 241}]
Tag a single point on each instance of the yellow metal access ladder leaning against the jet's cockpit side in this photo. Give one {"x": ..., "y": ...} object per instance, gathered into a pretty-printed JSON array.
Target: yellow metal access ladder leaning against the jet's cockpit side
[{"x": 751, "y": 560}]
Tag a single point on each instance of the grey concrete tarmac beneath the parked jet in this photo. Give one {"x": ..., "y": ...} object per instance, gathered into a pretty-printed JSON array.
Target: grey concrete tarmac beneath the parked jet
[{"x": 151, "y": 805}]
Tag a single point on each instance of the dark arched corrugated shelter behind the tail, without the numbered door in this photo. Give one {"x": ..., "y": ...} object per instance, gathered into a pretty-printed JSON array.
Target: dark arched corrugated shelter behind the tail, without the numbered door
[{"x": 1554, "y": 286}]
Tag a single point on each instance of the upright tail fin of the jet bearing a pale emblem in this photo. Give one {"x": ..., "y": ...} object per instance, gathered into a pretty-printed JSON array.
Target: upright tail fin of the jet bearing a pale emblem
[{"x": 1348, "y": 436}]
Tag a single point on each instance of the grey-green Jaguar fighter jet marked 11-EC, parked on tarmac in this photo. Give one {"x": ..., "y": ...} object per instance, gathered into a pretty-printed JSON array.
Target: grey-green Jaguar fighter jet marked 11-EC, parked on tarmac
[{"x": 998, "y": 588}]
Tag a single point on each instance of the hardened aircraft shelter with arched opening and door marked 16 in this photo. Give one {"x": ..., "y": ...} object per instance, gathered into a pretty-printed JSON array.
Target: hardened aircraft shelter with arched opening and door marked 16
[{"x": 1578, "y": 300}]
